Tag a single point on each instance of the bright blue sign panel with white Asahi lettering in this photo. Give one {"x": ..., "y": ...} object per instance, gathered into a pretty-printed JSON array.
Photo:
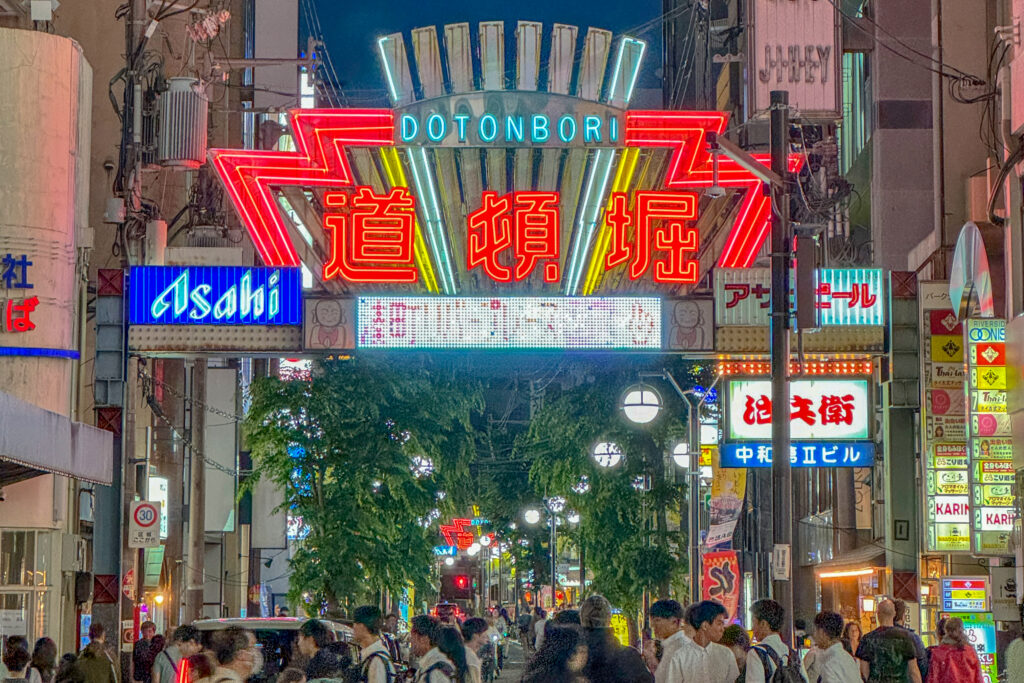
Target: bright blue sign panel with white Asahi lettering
[{"x": 215, "y": 295}]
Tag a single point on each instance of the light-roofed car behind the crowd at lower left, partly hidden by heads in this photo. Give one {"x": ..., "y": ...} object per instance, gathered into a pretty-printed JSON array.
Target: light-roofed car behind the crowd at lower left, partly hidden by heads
[{"x": 277, "y": 637}]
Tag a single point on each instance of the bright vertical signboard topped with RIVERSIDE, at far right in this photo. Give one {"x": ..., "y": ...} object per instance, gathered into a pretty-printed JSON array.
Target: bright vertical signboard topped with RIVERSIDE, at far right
[{"x": 991, "y": 447}]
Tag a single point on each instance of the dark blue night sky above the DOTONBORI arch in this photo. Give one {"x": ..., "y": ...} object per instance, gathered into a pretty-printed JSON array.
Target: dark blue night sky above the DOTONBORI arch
[{"x": 351, "y": 28}]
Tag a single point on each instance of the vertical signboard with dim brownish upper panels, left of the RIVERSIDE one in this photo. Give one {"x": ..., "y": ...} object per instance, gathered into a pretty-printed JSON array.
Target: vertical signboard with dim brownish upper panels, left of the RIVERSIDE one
[{"x": 948, "y": 499}]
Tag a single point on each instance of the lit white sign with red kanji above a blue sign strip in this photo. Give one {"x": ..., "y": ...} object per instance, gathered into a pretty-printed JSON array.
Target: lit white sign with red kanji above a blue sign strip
[{"x": 820, "y": 410}]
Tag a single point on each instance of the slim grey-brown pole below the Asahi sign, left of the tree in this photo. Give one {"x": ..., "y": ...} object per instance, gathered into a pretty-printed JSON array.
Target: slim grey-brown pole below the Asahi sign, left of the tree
[{"x": 197, "y": 495}]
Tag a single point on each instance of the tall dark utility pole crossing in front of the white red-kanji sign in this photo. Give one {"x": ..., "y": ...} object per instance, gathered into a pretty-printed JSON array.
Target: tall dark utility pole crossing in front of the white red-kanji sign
[{"x": 781, "y": 247}]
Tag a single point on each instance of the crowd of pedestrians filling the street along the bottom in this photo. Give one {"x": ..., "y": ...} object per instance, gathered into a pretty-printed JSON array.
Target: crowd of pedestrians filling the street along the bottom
[{"x": 696, "y": 645}]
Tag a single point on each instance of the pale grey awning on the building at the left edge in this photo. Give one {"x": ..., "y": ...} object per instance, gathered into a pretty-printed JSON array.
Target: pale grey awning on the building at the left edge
[{"x": 34, "y": 441}]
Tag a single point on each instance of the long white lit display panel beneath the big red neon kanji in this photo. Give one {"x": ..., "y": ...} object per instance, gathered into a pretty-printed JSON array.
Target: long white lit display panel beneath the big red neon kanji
[{"x": 503, "y": 323}]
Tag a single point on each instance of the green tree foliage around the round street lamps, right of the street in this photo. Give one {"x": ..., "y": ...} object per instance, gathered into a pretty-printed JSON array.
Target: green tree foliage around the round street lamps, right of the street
[{"x": 629, "y": 546}]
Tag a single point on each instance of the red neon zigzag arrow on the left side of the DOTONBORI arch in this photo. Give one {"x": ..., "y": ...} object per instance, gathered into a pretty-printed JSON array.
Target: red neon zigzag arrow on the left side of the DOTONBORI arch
[{"x": 321, "y": 137}]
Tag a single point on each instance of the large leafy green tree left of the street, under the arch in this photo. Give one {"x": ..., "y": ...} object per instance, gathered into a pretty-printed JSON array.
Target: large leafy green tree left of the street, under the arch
[{"x": 371, "y": 454}]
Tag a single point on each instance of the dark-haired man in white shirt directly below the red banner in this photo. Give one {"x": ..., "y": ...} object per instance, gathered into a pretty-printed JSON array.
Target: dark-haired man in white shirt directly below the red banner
[{"x": 702, "y": 660}]
